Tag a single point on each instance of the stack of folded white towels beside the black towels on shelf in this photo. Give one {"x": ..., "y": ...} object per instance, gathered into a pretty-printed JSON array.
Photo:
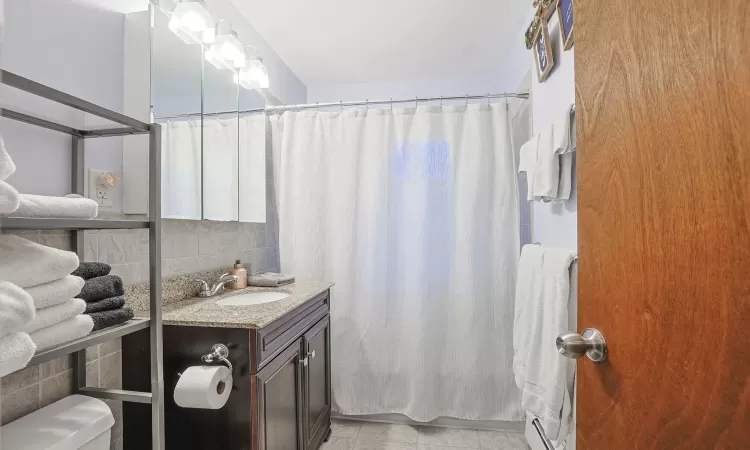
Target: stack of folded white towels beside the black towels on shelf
[{"x": 38, "y": 308}]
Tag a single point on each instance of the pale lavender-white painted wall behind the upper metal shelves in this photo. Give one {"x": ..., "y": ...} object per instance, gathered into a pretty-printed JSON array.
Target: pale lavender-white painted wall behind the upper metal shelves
[{"x": 71, "y": 48}]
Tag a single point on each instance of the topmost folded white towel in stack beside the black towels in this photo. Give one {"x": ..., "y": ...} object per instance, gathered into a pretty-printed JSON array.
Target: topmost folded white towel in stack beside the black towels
[{"x": 27, "y": 264}]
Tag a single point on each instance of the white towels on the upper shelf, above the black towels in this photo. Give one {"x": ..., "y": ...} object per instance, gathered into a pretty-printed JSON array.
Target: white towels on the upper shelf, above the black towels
[{"x": 13, "y": 204}]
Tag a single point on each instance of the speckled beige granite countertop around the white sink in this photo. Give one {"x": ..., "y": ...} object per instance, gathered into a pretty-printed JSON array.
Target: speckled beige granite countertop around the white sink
[{"x": 204, "y": 312}]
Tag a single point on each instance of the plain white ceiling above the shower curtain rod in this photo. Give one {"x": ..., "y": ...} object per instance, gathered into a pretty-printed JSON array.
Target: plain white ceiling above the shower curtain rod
[{"x": 353, "y": 41}]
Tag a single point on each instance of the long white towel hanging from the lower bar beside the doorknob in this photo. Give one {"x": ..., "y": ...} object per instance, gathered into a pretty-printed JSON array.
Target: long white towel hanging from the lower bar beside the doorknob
[{"x": 542, "y": 296}]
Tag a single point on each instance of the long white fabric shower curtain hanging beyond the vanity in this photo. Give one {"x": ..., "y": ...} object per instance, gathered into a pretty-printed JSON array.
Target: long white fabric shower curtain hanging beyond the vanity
[{"x": 414, "y": 215}]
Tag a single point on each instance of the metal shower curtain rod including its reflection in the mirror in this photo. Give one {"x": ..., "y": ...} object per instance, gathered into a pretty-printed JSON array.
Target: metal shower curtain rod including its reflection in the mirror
[{"x": 342, "y": 104}]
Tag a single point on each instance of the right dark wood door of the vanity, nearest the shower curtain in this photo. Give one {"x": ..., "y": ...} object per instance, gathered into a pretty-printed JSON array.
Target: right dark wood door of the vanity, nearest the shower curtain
[{"x": 317, "y": 411}]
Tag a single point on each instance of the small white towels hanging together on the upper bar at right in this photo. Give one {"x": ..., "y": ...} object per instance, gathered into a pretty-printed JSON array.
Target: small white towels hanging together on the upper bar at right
[{"x": 547, "y": 160}]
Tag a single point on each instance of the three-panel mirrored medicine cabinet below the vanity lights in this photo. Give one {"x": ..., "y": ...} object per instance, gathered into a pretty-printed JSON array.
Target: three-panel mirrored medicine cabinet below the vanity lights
[{"x": 214, "y": 162}]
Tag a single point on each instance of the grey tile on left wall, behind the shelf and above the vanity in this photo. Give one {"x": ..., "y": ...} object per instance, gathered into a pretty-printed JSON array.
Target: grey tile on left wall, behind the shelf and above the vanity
[{"x": 187, "y": 246}]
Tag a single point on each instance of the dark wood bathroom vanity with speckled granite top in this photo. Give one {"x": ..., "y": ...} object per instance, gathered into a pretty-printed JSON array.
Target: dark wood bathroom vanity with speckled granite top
[{"x": 280, "y": 352}]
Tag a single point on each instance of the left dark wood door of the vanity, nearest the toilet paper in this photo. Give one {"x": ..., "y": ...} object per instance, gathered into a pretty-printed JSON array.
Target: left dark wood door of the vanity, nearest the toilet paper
[{"x": 279, "y": 401}]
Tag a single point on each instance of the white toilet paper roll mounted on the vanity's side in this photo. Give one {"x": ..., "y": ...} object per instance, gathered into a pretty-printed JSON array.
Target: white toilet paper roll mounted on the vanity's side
[{"x": 202, "y": 387}]
